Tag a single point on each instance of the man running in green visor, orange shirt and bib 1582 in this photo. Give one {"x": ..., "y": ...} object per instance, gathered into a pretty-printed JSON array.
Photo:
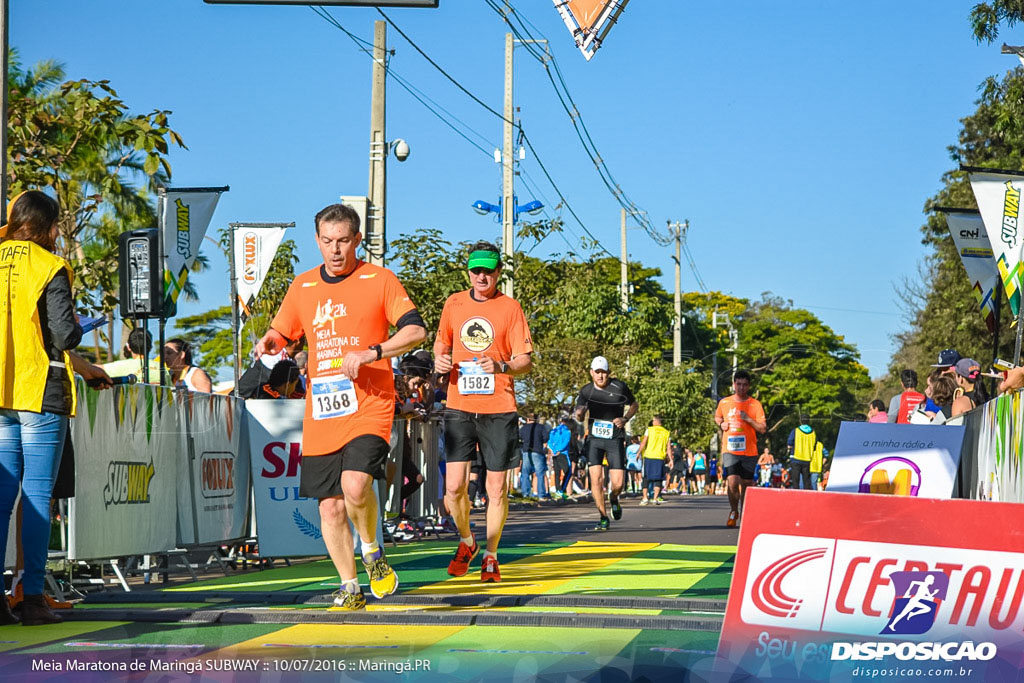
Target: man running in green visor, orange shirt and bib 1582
[{"x": 483, "y": 343}]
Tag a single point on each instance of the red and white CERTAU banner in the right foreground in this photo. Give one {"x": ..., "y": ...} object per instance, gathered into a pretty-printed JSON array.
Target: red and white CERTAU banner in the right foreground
[{"x": 844, "y": 587}]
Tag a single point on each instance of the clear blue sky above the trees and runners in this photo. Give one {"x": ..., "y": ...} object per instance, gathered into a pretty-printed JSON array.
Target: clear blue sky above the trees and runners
[{"x": 801, "y": 140}]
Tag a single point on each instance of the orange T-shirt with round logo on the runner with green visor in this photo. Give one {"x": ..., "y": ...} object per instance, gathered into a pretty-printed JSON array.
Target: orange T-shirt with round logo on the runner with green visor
[{"x": 497, "y": 329}]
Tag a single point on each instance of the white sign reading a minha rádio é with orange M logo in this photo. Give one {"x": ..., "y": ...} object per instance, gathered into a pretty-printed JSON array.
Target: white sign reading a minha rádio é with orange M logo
[{"x": 906, "y": 460}]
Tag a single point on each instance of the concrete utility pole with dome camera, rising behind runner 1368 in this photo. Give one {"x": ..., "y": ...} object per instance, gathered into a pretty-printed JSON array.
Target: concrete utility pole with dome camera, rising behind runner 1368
[{"x": 376, "y": 234}]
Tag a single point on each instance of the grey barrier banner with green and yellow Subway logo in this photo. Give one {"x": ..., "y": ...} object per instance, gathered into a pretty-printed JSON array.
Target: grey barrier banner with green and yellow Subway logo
[{"x": 127, "y": 445}]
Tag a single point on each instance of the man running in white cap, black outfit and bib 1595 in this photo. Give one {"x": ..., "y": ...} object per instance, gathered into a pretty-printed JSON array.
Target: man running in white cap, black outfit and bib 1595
[{"x": 611, "y": 405}]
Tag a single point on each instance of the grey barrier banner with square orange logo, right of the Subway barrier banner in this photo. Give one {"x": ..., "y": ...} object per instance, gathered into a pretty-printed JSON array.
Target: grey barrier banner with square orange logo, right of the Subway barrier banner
[{"x": 220, "y": 471}]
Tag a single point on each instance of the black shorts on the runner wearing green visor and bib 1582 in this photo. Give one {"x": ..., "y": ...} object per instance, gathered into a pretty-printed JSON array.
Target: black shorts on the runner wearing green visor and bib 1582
[{"x": 497, "y": 435}]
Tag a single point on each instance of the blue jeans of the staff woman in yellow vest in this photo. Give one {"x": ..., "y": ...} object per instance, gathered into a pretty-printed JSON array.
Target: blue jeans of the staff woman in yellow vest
[{"x": 31, "y": 445}]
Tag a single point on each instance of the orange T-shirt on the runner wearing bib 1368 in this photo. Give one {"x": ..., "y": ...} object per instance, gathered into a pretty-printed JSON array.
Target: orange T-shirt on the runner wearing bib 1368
[{"x": 338, "y": 317}]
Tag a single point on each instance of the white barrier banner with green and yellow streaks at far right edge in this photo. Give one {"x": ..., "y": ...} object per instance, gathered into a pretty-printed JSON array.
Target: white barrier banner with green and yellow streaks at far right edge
[{"x": 1000, "y": 465}]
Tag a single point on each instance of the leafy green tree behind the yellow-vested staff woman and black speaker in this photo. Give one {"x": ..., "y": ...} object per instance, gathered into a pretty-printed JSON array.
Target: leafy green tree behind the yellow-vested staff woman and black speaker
[{"x": 78, "y": 141}]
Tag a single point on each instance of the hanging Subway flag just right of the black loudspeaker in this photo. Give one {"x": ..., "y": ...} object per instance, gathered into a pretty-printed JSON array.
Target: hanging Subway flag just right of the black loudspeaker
[{"x": 185, "y": 218}]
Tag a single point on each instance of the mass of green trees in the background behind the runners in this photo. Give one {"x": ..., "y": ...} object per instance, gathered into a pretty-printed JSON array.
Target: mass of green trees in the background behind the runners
[{"x": 574, "y": 309}]
